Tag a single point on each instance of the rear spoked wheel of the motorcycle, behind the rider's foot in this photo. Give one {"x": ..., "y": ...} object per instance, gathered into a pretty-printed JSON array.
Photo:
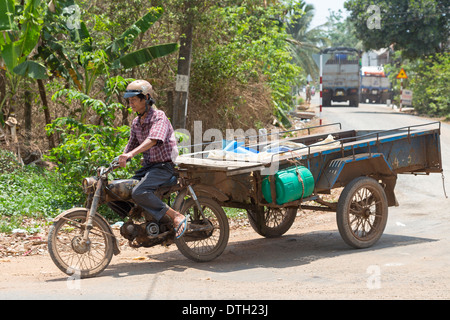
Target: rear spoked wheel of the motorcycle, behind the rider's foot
[{"x": 212, "y": 245}]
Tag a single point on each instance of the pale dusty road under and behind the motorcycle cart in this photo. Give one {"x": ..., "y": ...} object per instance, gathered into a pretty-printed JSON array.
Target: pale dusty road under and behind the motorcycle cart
[{"x": 411, "y": 260}]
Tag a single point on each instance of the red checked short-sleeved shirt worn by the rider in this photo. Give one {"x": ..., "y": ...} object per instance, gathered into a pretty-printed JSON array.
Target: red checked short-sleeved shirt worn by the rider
[{"x": 156, "y": 126}]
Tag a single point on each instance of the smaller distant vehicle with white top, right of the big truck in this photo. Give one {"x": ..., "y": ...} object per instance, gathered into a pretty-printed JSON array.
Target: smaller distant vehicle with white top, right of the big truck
[{"x": 375, "y": 86}]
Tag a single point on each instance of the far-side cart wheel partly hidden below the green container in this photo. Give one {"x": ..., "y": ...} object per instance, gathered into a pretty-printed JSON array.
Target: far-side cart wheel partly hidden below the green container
[{"x": 277, "y": 221}]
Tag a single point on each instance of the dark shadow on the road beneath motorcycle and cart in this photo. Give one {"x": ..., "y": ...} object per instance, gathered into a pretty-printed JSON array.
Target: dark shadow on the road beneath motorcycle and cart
[{"x": 287, "y": 251}]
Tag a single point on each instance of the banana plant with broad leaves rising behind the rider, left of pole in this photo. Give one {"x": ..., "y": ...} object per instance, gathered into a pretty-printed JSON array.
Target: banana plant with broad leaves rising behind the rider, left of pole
[{"x": 90, "y": 62}]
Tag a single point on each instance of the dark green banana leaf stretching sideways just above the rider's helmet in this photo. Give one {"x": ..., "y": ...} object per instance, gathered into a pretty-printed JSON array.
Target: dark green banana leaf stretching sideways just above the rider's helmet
[{"x": 144, "y": 55}]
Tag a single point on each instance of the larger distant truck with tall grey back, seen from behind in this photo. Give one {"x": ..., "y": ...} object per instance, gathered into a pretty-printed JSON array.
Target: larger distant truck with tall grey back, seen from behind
[{"x": 341, "y": 75}]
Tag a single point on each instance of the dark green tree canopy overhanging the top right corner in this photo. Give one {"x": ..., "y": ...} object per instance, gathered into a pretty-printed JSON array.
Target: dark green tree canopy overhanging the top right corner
[{"x": 416, "y": 27}]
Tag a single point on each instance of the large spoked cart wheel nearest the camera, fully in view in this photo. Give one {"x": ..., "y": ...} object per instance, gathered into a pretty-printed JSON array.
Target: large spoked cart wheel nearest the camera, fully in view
[{"x": 362, "y": 212}]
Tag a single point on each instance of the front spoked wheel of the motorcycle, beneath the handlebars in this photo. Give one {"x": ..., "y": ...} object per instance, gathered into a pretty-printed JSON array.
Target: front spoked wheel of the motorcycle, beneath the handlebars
[{"x": 74, "y": 256}]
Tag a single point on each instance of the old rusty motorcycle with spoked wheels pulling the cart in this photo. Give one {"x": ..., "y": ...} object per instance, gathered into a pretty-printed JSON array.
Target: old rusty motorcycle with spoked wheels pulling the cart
[{"x": 82, "y": 242}]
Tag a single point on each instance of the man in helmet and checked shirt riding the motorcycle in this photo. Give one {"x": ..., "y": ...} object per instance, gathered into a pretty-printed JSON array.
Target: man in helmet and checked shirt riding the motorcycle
[{"x": 152, "y": 135}]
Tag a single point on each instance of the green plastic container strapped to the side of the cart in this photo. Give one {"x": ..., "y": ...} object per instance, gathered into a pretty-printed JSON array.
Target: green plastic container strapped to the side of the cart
[{"x": 288, "y": 186}]
